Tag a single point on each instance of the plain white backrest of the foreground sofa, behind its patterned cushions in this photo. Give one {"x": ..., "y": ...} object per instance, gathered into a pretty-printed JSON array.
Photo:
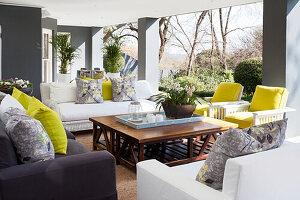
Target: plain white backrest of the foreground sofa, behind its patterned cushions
[{"x": 272, "y": 174}]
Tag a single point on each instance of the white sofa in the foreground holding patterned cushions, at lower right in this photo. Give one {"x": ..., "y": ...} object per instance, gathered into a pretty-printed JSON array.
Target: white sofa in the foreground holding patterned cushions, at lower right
[{"x": 269, "y": 175}]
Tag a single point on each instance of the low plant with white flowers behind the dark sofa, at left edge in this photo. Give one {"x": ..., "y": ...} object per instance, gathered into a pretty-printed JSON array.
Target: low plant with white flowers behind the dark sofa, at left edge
[{"x": 8, "y": 85}]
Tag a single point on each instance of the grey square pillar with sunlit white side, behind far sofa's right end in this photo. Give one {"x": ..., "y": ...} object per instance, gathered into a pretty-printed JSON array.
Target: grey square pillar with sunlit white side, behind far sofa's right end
[{"x": 148, "y": 50}]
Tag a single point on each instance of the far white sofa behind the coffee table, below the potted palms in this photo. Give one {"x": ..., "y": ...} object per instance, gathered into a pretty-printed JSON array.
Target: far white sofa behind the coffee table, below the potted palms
[{"x": 75, "y": 117}]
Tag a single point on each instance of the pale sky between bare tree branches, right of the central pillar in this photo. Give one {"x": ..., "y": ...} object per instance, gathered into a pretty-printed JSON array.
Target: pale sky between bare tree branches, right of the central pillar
[{"x": 246, "y": 17}]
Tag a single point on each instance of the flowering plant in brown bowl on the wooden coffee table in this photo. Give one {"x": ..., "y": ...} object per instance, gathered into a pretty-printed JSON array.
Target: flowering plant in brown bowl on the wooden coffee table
[{"x": 178, "y": 101}]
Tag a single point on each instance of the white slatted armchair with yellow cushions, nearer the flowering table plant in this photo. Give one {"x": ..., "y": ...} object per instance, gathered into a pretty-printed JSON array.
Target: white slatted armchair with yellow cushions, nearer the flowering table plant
[{"x": 225, "y": 94}]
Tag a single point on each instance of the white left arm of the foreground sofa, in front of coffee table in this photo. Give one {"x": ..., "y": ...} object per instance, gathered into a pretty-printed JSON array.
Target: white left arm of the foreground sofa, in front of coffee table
[{"x": 158, "y": 181}]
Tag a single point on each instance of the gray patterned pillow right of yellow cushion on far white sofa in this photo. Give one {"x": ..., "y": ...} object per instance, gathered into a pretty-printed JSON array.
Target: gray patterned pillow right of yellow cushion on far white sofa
[{"x": 123, "y": 89}]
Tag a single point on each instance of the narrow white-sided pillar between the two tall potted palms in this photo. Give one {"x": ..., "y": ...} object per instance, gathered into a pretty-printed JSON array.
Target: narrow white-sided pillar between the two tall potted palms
[{"x": 97, "y": 46}]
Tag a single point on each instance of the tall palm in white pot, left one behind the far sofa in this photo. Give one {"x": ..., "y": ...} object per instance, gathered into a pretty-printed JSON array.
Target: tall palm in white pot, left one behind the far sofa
[{"x": 66, "y": 53}]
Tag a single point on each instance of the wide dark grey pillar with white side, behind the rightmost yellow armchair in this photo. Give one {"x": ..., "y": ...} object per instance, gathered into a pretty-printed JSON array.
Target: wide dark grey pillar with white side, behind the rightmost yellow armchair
[{"x": 281, "y": 56}]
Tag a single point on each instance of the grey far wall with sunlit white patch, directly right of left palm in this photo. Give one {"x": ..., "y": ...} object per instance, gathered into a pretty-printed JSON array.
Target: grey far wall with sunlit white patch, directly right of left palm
[{"x": 81, "y": 38}]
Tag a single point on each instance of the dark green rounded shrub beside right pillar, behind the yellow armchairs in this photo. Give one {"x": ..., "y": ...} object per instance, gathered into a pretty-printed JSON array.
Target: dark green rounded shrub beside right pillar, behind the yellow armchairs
[{"x": 249, "y": 74}]
